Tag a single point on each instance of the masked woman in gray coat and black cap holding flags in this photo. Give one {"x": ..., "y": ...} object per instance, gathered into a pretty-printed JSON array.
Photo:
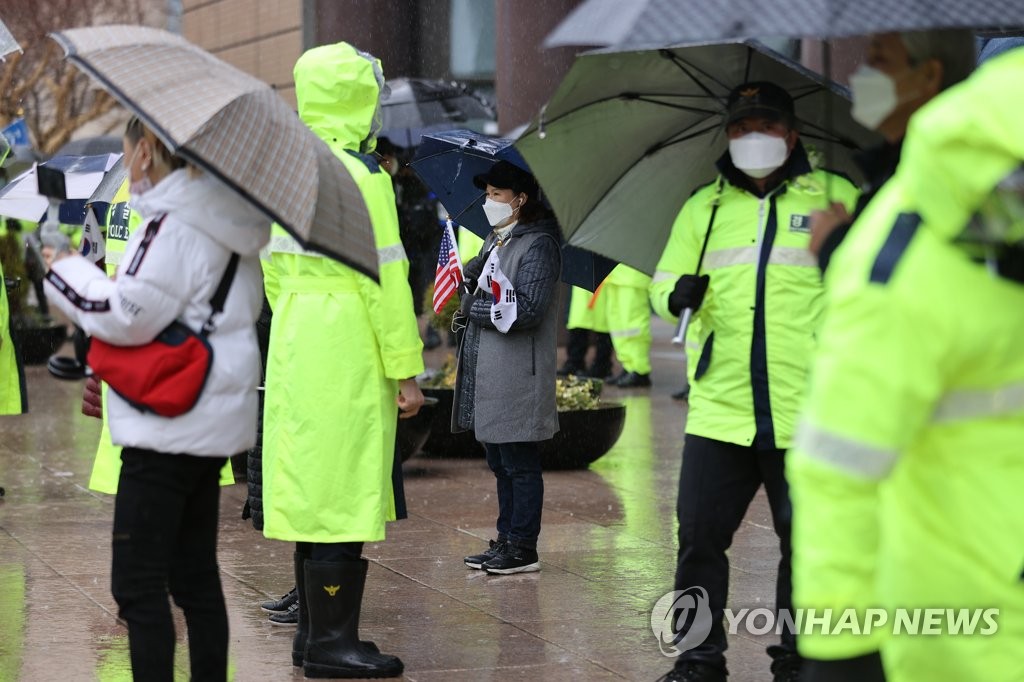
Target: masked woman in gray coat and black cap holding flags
[{"x": 505, "y": 386}]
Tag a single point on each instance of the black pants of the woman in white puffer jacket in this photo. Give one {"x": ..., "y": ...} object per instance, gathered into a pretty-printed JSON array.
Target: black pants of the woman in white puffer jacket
[{"x": 165, "y": 540}]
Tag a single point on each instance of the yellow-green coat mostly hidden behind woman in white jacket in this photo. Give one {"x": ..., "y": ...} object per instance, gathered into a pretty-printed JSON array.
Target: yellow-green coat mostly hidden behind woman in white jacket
[{"x": 121, "y": 223}]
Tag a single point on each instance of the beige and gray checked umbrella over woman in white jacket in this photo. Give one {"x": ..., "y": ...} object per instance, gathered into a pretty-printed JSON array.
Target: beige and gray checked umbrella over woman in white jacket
[{"x": 234, "y": 126}]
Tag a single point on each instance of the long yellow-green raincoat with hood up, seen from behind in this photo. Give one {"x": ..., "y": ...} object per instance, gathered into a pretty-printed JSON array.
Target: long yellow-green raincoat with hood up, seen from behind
[{"x": 339, "y": 342}]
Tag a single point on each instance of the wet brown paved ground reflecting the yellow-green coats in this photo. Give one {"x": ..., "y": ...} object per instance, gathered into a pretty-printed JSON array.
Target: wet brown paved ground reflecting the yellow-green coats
[{"x": 608, "y": 550}]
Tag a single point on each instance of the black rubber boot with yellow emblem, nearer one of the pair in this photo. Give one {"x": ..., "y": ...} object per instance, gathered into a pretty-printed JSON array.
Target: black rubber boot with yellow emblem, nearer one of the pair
[{"x": 334, "y": 598}]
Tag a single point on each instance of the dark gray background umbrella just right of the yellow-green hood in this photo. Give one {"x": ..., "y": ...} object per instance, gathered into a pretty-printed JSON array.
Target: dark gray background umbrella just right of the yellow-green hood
[{"x": 414, "y": 107}]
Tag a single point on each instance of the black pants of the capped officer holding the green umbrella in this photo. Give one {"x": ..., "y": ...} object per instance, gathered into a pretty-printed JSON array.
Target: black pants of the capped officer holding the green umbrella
[{"x": 716, "y": 486}]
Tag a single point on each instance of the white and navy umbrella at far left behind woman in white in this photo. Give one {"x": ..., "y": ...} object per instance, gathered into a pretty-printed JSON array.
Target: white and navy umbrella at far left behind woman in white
[{"x": 21, "y": 199}]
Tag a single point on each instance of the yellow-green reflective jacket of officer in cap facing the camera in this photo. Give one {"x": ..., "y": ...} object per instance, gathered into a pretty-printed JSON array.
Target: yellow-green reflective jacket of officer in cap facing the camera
[{"x": 763, "y": 307}]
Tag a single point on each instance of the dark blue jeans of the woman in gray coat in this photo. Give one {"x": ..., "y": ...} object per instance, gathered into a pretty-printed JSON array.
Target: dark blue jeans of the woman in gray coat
[{"x": 521, "y": 490}]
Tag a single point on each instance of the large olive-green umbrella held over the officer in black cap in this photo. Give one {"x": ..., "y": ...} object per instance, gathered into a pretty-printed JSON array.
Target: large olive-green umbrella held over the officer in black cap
[{"x": 628, "y": 137}]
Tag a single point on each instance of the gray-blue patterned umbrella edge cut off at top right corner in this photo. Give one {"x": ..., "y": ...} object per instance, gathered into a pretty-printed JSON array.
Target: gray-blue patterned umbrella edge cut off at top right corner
[{"x": 646, "y": 24}]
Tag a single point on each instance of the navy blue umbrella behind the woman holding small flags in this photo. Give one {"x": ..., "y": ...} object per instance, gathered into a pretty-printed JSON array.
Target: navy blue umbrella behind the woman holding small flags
[{"x": 447, "y": 163}]
